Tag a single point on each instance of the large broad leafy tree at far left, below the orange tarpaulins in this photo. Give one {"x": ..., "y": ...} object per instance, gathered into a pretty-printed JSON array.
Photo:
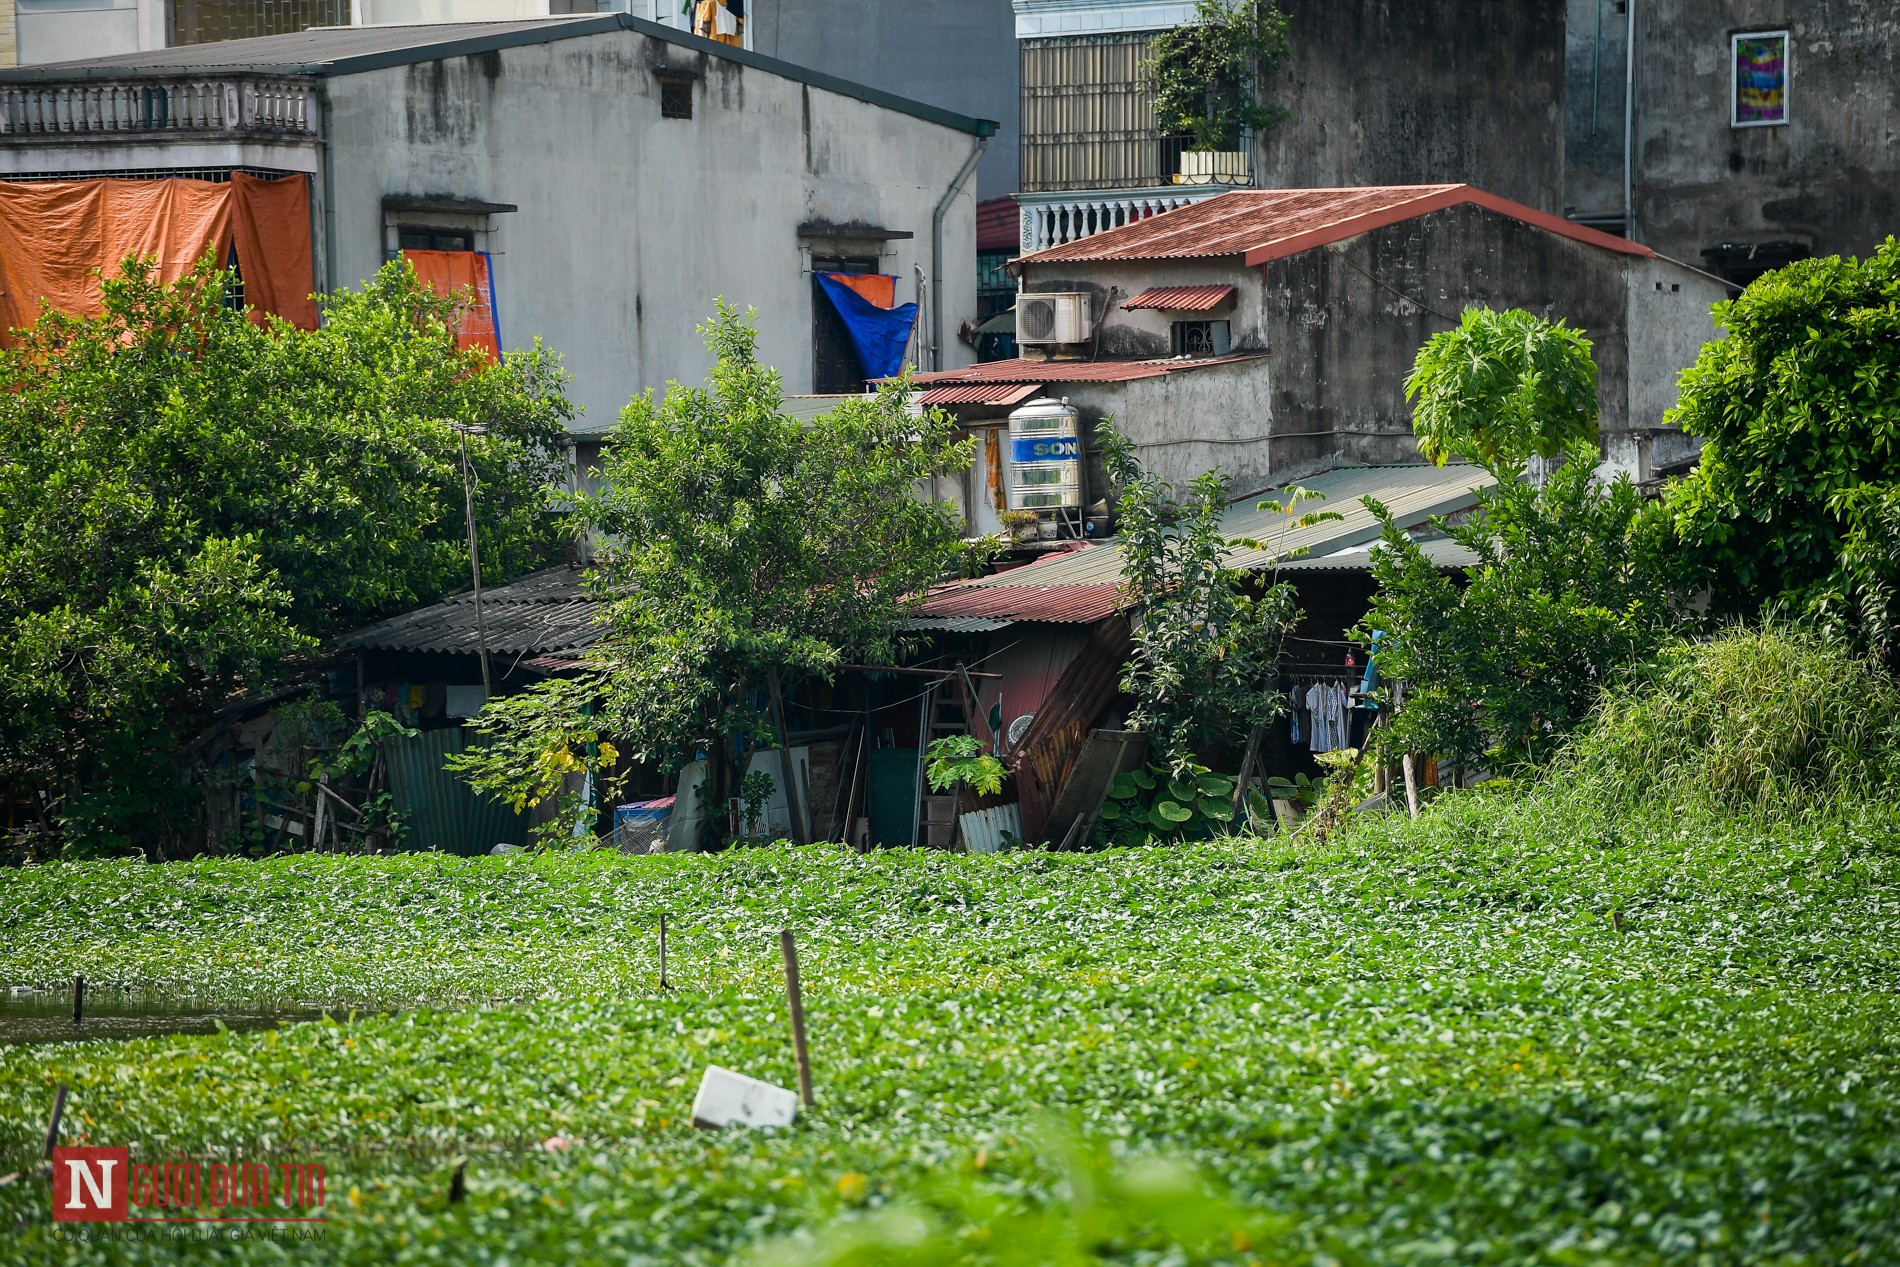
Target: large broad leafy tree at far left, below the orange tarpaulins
[{"x": 189, "y": 501}]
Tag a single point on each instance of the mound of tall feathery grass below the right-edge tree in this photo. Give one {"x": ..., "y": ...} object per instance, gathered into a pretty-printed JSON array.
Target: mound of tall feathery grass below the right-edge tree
[{"x": 1774, "y": 723}]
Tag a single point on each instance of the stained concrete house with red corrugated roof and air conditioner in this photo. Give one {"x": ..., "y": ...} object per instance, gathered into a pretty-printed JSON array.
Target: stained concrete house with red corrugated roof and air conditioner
[{"x": 1270, "y": 331}]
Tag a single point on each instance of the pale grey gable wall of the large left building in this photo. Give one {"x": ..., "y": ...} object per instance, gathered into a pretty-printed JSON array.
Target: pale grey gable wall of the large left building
[{"x": 630, "y": 223}]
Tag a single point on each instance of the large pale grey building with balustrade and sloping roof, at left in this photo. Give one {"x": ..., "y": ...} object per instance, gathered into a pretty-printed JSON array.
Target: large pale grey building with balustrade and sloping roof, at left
[{"x": 618, "y": 174}]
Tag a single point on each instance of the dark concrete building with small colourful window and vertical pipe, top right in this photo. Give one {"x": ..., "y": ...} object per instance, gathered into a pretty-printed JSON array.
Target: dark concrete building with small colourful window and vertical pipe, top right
[{"x": 1808, "y": 166}]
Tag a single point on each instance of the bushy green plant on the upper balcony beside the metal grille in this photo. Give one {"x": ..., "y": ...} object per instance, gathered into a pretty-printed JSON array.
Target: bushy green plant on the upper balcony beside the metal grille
[{"x": 1211, "y": 73}]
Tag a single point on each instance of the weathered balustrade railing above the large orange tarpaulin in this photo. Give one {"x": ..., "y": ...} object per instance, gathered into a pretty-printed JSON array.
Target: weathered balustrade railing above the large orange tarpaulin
[{"x": 187, "y": 105}]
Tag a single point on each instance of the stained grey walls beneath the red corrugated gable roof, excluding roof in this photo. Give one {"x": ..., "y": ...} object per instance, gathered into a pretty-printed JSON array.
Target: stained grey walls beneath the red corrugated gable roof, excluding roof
[{"x": 1340, "y": 328}]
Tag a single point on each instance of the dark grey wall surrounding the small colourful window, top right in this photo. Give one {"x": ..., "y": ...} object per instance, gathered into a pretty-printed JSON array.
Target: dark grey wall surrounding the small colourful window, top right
[{"x": 1831, "y": 178}]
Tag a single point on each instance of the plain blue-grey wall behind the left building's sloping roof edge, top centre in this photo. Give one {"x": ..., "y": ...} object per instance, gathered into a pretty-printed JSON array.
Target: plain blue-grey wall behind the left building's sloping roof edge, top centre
[{"x": 955, "y": 54}]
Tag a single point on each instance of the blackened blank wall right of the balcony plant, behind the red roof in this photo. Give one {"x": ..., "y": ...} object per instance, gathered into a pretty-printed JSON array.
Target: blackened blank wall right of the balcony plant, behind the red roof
[{"x": 1422, "y": 94}]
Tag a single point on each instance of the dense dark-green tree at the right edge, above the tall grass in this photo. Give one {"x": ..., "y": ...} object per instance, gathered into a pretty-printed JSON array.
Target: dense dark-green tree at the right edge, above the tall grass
[{"x": 1796, "y": 502}]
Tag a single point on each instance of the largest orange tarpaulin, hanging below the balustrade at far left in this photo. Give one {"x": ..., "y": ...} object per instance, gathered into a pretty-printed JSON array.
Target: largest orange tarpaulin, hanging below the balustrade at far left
[{"x": 60, "y": 236}]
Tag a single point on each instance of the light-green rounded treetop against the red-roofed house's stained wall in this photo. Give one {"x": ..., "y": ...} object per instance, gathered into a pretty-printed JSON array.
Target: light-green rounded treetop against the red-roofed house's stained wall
[{"x": 1504, "y": 387}]
